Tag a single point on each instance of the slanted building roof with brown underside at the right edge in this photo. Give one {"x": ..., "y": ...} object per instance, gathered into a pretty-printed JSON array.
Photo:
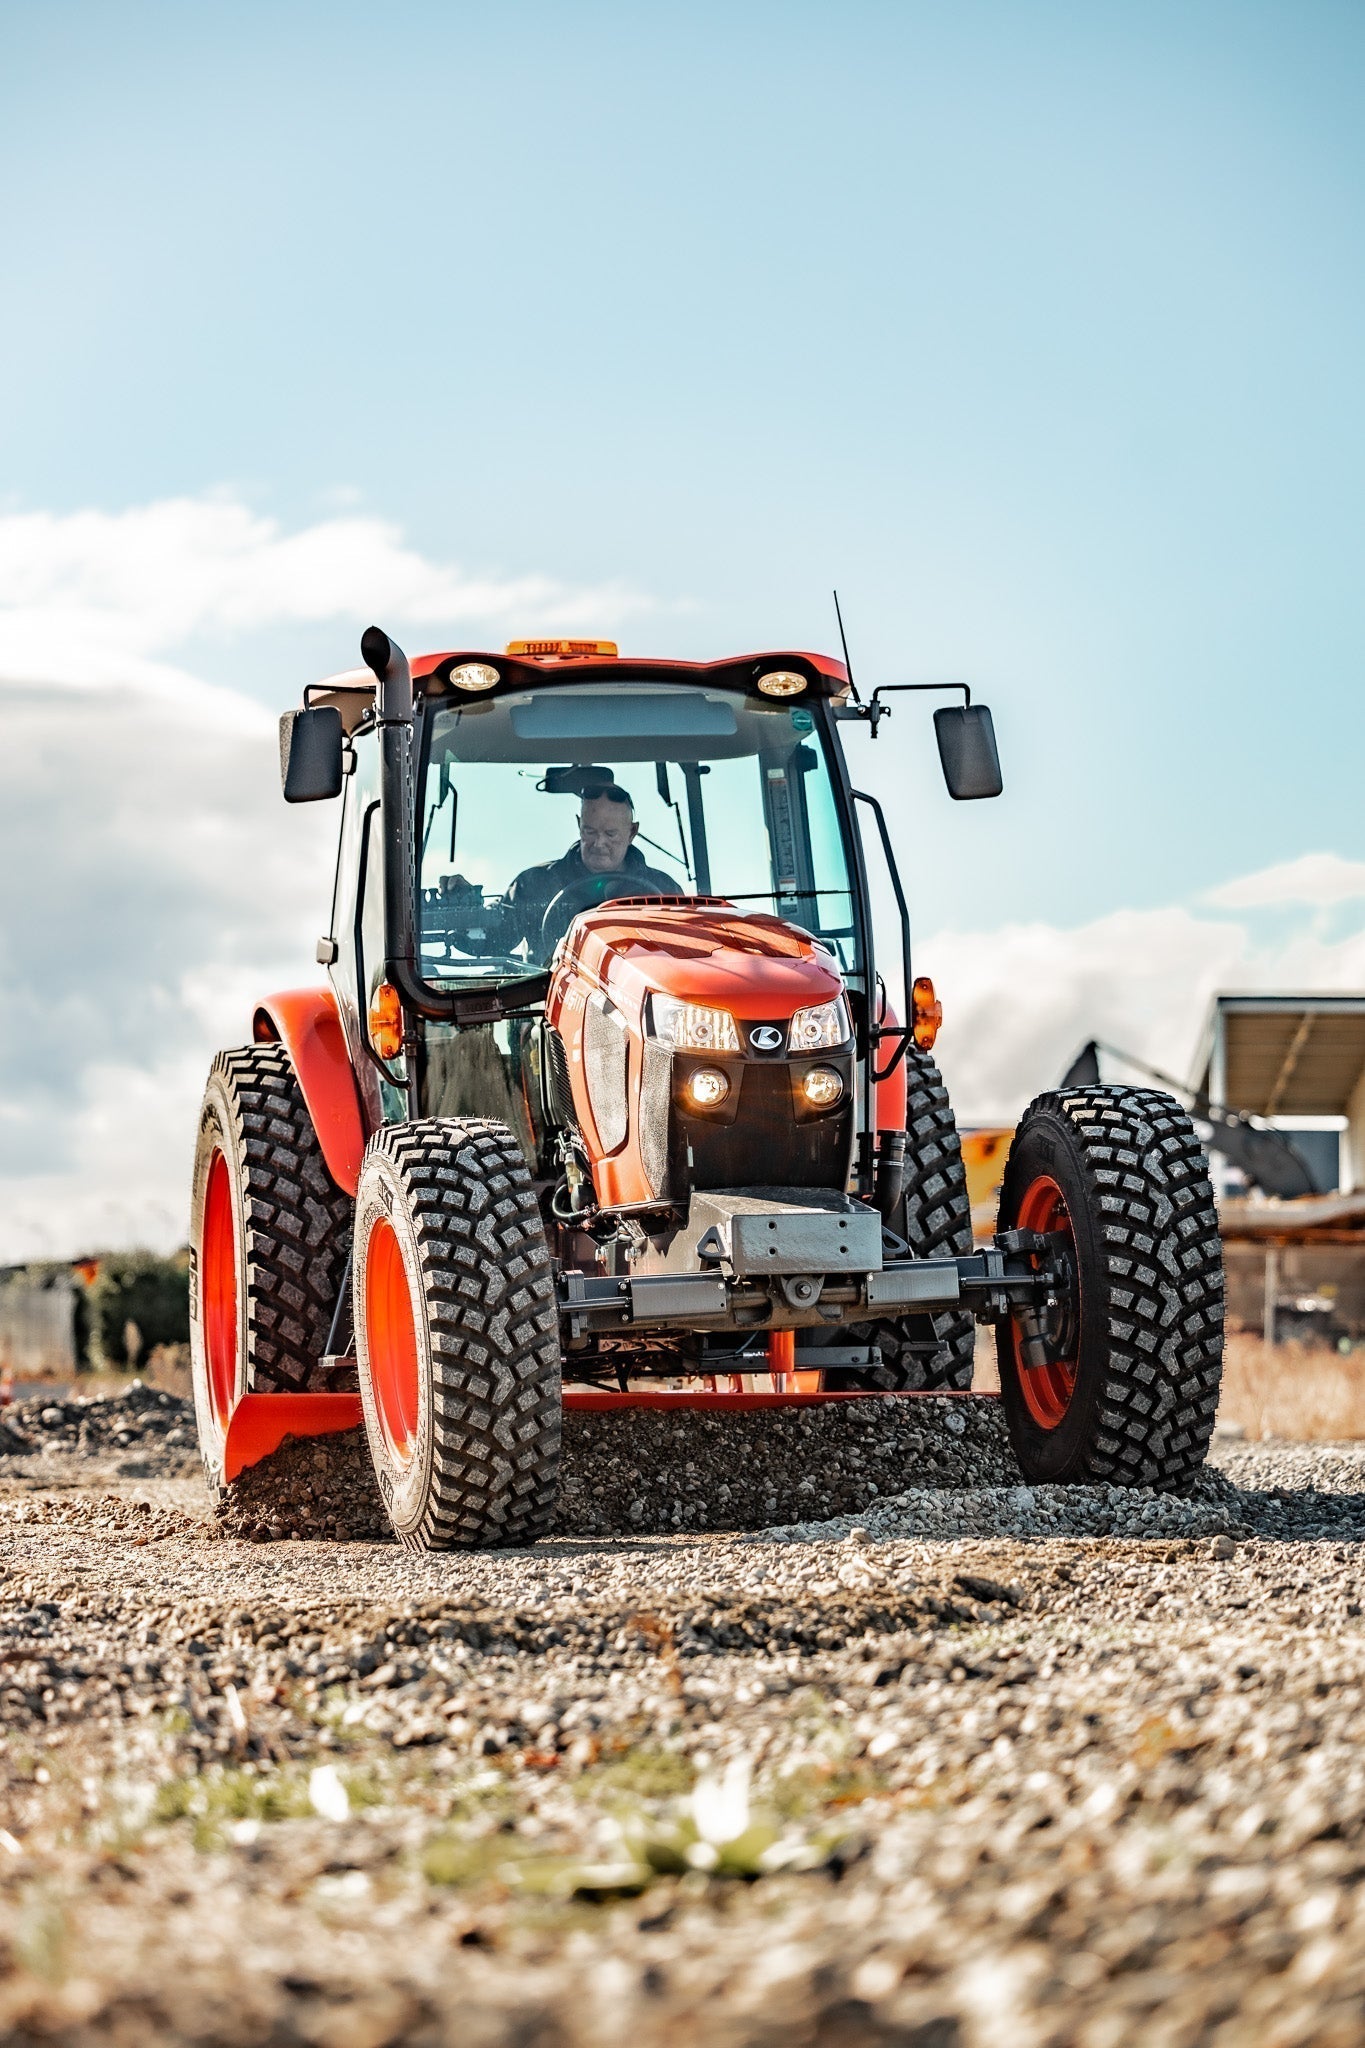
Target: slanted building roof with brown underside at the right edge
[{"x": 1284, "y": 1056}]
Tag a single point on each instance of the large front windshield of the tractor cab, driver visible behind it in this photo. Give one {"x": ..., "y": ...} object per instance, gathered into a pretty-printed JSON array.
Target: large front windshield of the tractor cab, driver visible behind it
[{"x": 547, "y": 802}]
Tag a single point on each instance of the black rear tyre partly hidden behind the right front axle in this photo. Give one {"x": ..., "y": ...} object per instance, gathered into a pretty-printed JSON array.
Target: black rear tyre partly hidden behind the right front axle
[{"x": 932, "y": 1353}]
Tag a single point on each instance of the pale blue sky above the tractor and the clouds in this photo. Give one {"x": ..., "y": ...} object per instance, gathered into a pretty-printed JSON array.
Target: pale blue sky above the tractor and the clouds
[{"x": 1037, "y": 329}]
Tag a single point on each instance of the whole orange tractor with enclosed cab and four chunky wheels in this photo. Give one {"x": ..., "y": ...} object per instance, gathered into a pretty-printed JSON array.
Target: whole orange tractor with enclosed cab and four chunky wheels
[{"x": 631, "y": 1121}]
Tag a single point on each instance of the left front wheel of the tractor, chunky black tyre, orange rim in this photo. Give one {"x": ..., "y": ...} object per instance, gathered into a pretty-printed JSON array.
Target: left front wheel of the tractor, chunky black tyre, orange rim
[{"x": 449, "y": 1234}]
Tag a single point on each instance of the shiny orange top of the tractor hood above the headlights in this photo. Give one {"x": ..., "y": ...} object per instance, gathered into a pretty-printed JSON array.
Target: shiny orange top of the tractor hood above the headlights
[{"x": 715, "y": 953}]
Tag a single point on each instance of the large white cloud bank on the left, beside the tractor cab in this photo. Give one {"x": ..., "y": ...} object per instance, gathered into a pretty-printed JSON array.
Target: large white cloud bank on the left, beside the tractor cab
[{"x": 152, "y": 884}]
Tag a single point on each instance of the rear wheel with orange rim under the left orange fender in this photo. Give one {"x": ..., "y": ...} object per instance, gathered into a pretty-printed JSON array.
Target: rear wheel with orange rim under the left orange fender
[{"x": 290, "y": 1240}]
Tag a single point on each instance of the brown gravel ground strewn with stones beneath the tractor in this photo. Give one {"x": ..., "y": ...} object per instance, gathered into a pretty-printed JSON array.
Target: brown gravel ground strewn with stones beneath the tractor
[{"x": 969, "y": 1764}]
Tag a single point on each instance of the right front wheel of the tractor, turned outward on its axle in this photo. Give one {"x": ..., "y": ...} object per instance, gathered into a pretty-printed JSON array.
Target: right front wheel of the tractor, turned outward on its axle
[{"x": 1139, "y": 1326}]
